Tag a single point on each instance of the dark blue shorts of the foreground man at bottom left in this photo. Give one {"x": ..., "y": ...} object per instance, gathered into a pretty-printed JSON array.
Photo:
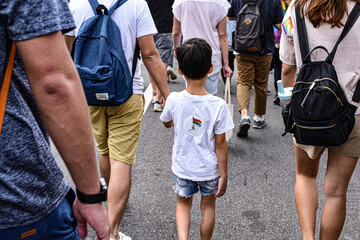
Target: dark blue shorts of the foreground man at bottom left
[{"x": 59, "y": 225}]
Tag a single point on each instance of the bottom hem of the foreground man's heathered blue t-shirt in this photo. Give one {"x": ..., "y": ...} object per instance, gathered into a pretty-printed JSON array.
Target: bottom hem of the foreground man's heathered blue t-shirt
[{"x": 39, "y": 216}]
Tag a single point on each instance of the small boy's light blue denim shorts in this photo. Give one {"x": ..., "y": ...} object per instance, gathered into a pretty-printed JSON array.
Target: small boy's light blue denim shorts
[{"x": 186, "y": 188}]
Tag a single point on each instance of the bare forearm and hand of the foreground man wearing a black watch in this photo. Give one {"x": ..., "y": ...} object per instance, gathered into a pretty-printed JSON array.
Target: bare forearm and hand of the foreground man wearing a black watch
[{"x": 59, "y": 95}]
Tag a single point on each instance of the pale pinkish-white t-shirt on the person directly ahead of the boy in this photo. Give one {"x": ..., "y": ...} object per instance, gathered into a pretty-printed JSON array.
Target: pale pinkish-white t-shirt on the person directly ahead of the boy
[{"x": 199, "y": 19}]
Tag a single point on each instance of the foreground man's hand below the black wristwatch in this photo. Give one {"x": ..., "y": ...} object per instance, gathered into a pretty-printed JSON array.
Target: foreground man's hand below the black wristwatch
[{"x": 95, "y": 215}]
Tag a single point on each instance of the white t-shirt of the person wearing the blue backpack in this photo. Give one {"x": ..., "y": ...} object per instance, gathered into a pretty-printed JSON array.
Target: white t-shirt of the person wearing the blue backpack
[{"x": 134, "y": 20}]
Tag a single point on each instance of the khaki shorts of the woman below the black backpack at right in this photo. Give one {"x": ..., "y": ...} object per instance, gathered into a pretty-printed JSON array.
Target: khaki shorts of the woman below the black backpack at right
[{"x": 351, "y": 148}]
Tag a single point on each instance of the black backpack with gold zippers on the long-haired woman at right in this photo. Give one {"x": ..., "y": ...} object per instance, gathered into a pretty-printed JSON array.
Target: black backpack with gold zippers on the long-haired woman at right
[{"x": 320, "y": 115}]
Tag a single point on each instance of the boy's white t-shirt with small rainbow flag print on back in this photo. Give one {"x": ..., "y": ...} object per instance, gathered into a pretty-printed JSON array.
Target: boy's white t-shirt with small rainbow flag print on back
[{"x": 196, "y": 121}]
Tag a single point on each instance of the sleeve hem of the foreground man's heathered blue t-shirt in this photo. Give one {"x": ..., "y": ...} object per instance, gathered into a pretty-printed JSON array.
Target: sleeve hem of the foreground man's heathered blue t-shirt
[{"x": 65, "y": 27}]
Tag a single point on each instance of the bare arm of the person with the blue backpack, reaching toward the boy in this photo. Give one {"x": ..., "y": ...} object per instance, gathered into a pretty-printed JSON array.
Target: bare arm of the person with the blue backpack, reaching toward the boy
[{"x": 153, "y": 63}]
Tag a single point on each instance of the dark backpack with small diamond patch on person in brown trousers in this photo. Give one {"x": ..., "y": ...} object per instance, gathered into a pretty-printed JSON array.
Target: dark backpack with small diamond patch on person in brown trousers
[{"x": 250, "y": 32}]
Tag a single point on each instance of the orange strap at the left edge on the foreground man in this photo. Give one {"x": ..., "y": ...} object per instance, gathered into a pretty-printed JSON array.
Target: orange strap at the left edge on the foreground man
[{"x": 5, "y": 85}]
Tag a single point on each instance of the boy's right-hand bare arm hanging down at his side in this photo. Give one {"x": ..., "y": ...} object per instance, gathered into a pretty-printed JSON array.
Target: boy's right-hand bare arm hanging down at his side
[{"x": 222, "y": 155}]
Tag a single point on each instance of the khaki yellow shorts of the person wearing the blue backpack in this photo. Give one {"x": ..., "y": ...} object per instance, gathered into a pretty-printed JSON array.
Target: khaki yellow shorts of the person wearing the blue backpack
[{"x": 117, "y": 129}]
